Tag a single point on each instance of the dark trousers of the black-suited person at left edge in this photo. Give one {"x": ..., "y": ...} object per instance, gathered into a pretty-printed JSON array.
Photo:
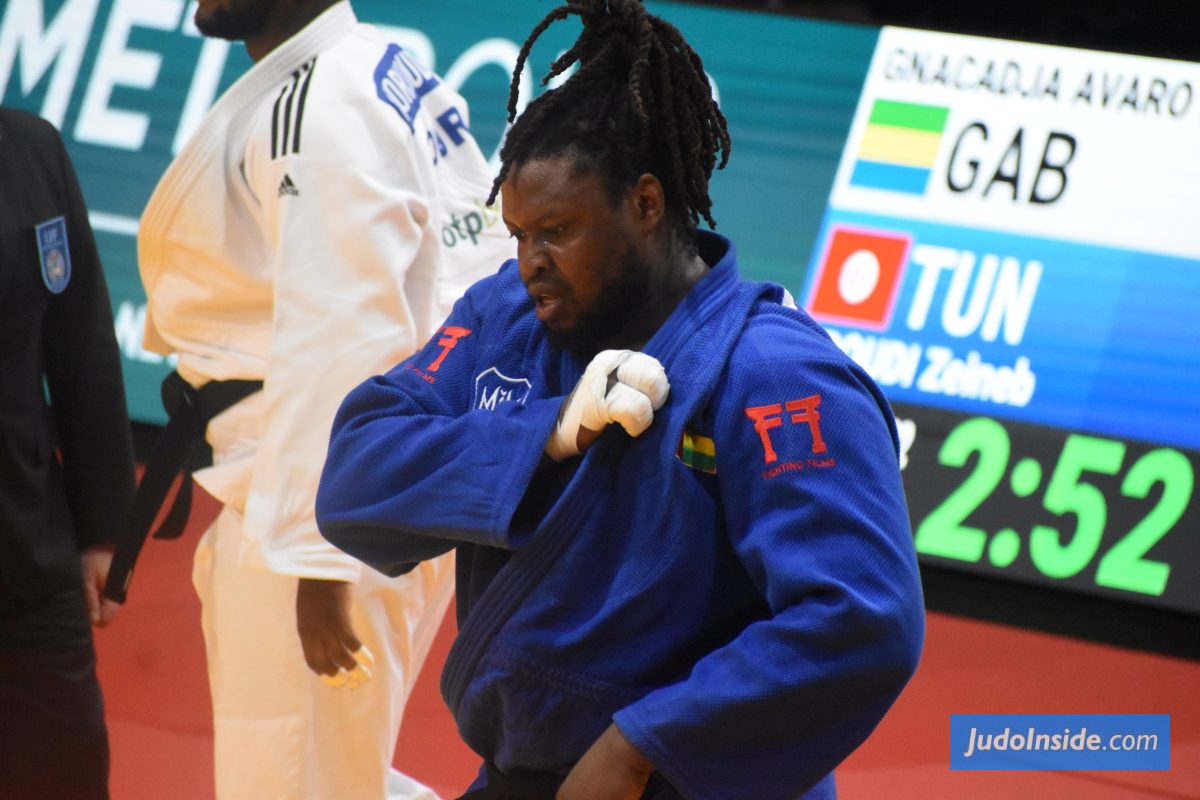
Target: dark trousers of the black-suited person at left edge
[{"x": 53, "y": 739}]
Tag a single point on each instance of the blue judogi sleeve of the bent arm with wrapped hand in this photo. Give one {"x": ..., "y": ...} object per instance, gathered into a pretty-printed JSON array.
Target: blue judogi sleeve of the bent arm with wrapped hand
[{"x": 412, "y": 468}]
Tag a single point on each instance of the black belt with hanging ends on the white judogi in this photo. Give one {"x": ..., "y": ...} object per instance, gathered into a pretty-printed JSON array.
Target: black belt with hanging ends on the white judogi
[{"x": 189, "y": 411}]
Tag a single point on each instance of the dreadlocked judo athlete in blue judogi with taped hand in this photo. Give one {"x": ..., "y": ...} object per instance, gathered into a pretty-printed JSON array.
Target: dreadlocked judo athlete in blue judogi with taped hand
[{"x": 685, "y": 561}]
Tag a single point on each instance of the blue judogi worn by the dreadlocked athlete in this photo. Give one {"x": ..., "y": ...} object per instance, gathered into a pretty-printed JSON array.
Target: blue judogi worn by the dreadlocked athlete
[{"x": 736, "y": 588}]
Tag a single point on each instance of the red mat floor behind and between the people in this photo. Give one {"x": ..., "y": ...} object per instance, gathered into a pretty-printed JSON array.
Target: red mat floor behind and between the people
[{"x": 152, "y": 666}]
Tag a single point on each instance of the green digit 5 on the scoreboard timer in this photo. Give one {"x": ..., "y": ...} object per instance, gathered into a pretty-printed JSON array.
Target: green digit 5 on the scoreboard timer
[{"x": 1069, "y": 494}]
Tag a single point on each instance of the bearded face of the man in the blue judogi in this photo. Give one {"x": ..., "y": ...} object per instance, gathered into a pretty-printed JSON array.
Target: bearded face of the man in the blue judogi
[{"x": 579, "y": 254}]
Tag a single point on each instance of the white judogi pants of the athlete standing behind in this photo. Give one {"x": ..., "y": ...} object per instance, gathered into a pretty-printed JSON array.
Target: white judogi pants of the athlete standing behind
[{"x": 280, "y": 732}]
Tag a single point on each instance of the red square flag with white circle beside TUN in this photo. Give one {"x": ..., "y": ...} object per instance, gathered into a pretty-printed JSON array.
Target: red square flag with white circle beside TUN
[{"x": 859, "y": 278}]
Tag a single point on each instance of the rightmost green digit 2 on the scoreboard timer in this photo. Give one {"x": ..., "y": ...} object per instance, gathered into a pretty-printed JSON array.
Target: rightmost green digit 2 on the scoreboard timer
[{"x": 1123, "y": 568}]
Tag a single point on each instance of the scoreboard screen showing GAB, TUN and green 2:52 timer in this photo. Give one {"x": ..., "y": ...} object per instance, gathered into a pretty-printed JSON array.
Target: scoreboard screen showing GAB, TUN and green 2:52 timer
[{"x": 1011, "y": 250}]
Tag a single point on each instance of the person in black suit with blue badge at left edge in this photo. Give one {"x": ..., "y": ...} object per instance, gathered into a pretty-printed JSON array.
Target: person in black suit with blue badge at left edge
[{"x": 67, "y": 472}]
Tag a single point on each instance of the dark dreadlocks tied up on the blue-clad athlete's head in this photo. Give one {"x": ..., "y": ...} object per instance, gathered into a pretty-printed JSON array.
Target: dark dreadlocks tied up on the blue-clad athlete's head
[{"x": 639, "y": 104}]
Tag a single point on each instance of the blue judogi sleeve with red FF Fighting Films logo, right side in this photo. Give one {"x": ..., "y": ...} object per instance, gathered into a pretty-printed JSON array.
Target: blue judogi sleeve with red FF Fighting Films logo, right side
[{"x": 812, "y": 497}]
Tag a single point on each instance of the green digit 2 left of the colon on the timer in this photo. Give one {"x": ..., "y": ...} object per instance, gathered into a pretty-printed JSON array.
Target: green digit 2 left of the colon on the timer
[{"x": 943, "y": 532}]
